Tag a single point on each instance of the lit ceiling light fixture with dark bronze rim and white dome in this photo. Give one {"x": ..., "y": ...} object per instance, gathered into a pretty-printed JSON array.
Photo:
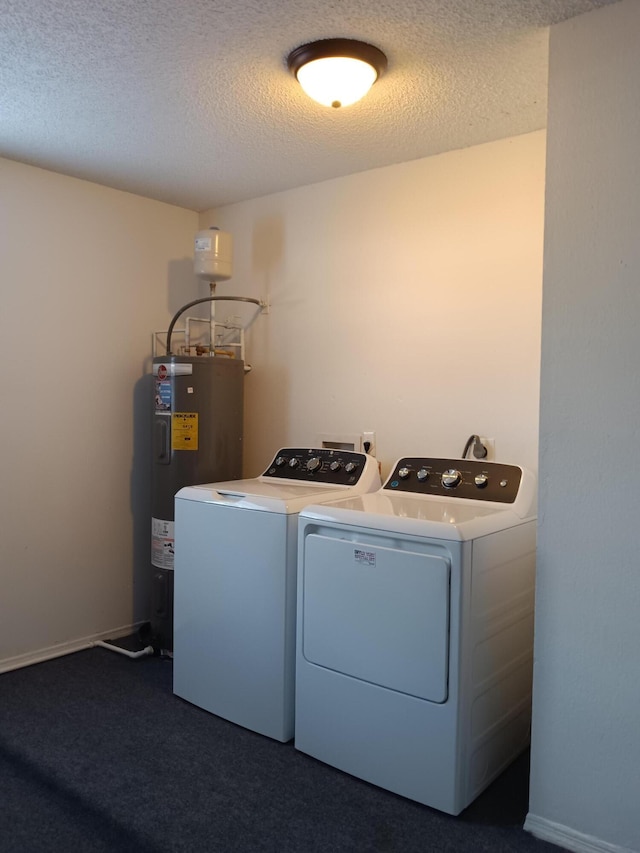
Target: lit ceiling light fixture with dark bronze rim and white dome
[{"x": 336, "y": 72}]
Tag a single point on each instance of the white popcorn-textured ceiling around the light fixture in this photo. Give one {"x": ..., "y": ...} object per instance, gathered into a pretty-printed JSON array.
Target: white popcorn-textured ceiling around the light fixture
[{"x": 190, "y": 101}]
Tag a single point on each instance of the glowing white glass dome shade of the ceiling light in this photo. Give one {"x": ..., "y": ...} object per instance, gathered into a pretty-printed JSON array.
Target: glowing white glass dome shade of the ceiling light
[{"x": 337, "y": 81}]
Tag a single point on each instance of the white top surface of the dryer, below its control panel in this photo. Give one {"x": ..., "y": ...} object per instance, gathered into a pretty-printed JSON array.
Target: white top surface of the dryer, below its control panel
[{"x": 437, "y": 518}]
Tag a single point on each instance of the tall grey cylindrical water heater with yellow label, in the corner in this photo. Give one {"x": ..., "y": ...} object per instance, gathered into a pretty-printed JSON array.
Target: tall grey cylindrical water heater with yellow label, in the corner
[{"x": 197, "y": 438}]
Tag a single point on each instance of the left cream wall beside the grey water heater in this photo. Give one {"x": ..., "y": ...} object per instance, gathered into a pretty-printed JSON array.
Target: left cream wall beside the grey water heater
[{"x": 86, "y": 274}]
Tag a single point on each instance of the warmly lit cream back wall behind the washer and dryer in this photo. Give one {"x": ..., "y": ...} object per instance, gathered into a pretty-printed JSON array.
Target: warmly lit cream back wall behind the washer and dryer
[{"x": 405, "y": 300}]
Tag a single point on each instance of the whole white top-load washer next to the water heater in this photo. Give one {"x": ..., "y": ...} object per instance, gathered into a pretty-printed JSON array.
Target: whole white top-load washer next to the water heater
[{"x": 235, "y": 583}]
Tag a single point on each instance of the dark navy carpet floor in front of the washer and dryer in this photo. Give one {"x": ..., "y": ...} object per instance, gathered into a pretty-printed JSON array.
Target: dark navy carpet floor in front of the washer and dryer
[{"x": 97, "y": 754}]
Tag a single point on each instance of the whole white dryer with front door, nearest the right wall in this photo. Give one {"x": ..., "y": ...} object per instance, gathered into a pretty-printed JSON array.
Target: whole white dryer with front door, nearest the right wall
[{"x": 415, "y": 629}]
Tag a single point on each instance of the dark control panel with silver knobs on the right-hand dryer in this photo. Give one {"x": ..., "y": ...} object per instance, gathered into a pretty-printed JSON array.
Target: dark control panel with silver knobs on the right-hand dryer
[{"x": 457, "y": 478}]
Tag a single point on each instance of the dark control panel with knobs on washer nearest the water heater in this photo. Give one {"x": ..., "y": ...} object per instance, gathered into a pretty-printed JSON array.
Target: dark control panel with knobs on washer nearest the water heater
[{"x": 319, "y": 465}]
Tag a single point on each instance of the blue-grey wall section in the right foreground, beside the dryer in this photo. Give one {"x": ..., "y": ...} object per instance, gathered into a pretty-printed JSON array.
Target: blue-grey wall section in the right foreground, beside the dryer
[{"x": 585, "y": 783}]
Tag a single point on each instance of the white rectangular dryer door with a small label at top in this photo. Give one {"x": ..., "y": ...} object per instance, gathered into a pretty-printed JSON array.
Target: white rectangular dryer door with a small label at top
[{"x": 377, "y": 614}]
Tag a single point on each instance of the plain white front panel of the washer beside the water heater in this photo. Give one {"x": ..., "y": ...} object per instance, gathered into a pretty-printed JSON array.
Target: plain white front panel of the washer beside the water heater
[{"x": 235, "y": 614}]
